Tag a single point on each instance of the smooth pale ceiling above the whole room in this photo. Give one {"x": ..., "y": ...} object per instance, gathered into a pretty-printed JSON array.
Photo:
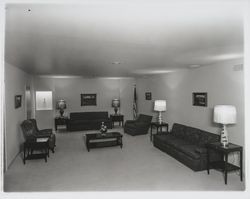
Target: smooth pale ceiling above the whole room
[{"x": 145, "y": 38}]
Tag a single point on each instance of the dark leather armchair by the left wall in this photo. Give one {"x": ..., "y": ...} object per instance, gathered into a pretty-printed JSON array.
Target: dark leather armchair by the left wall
[{"x": 31, "y": 133}]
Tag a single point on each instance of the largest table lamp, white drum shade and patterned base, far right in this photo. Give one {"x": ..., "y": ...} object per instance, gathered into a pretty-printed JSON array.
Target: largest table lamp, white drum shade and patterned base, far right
[{"x": 224, "y": 114}]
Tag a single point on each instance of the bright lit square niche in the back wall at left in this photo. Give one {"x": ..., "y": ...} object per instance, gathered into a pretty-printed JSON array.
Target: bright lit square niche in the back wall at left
[{"x": 44, "y": 100}]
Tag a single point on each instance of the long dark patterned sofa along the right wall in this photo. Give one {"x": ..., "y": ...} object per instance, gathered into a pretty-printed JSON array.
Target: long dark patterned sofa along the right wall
[{"x": 187, "y": 145}]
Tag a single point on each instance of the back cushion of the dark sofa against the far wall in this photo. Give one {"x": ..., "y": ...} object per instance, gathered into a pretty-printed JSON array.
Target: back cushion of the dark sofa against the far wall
[{"x": 89, "y": 115}]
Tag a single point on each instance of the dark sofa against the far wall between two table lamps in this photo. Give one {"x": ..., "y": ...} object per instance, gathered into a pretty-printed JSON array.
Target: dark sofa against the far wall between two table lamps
[{"x": 88, "y": 121}]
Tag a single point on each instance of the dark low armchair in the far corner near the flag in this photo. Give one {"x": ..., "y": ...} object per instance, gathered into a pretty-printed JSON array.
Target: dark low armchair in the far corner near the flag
[{"x": 139, "y": 126}]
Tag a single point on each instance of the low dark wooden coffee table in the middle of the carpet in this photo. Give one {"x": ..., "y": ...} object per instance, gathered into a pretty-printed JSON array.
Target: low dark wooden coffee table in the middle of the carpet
[{"x": 108, "y": 139}]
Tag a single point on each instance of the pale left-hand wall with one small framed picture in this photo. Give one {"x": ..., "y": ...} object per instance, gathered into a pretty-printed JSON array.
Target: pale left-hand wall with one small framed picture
[{"x": 15, "y": 84}]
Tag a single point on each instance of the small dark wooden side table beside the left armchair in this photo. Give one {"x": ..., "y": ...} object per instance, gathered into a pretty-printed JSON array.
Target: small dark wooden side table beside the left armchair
[{"x": 32, "y": 148}]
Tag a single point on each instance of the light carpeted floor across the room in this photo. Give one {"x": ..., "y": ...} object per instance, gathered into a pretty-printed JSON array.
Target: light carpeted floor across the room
[{"x": 138, "y": 166}]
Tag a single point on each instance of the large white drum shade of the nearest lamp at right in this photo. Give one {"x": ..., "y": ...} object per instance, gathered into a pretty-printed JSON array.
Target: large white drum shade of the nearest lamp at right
[{"x": 225, "y": 114}]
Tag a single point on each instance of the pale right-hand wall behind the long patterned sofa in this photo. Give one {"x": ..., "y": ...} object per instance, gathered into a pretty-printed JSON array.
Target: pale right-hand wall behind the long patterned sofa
[{"x": 220, "y": 81}]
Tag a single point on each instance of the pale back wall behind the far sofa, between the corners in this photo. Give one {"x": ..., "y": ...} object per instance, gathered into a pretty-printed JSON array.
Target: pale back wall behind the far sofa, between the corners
[{"x": 70, "y": 90}]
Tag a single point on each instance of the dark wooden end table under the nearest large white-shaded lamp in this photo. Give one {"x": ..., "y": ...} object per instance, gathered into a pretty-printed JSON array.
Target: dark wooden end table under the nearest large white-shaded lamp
[{"x": 223, "y": 165}]
